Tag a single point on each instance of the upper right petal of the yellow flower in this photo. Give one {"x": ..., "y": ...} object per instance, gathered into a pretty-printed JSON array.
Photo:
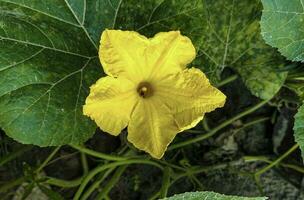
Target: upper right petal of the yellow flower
[{"x": 169, "y": 52}]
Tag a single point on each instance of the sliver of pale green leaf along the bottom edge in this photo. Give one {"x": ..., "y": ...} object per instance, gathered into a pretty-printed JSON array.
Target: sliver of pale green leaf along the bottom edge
[{"x": 210, "y": 196}]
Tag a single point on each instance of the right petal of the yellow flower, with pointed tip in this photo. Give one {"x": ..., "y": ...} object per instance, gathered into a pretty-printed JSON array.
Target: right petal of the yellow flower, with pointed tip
[{"x": 189, "y": 95}]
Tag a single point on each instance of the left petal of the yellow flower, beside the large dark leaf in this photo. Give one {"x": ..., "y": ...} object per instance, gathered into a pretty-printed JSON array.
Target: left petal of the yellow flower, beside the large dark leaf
[{"x": 110, "y": 103}]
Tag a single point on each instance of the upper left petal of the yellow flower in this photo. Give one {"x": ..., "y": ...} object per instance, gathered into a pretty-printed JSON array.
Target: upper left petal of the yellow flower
[{"x": 122, "y": 53}]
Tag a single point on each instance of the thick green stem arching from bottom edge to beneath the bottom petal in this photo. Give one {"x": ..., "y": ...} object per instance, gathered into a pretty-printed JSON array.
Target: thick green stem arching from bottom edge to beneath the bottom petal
[{"x": 101, "y": 168}]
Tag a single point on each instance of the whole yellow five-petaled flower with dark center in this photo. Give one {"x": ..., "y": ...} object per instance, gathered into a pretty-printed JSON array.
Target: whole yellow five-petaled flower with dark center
[{"x": 149, "y": 89}]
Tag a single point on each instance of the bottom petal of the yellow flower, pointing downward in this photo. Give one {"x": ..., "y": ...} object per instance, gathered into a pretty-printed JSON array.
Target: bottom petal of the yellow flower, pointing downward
[{"x": 152, "y": 127}]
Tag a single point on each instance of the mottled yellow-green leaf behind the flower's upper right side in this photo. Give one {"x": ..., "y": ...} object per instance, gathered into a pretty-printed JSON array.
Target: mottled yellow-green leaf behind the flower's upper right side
[{"x": 226, "y": 33}]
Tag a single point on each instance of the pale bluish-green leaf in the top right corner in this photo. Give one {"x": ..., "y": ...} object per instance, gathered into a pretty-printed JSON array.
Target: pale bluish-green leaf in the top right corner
[{"x": 283, "y": 27}]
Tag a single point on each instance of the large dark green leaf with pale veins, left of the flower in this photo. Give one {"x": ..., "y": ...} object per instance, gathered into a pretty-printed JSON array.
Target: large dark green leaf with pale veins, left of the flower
[{"x": 48, "y": 60}]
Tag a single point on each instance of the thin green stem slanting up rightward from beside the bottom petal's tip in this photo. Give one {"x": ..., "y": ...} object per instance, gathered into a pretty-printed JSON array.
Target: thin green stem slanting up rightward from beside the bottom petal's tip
[{"x": 221, "y": 126}]
